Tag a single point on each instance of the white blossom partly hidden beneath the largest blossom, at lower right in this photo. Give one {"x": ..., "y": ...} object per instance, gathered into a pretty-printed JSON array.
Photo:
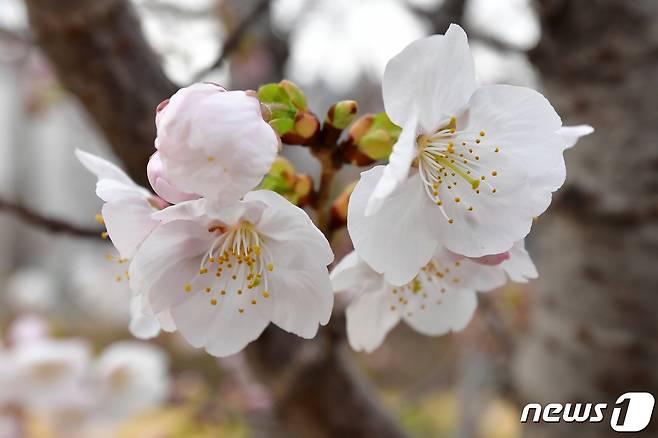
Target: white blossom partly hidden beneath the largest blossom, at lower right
[{"x": 441, "y": 298}]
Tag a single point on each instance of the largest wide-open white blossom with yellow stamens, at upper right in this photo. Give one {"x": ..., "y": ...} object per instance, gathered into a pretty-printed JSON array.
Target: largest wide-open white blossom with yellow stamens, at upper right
[{"x": 471, "y": 169}]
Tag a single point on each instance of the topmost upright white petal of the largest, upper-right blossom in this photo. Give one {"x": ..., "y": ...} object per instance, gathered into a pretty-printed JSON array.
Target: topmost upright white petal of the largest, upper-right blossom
[{"x": 433, "y": 77}]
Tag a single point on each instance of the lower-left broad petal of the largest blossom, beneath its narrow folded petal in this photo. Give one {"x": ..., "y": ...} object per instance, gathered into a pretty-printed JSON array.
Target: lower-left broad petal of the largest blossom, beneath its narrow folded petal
[{"x": 398, "y": 240}]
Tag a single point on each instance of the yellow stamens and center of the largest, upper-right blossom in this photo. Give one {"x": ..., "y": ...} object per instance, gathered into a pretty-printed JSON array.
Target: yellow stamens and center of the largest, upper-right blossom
[{"x": 448, "y": 157}]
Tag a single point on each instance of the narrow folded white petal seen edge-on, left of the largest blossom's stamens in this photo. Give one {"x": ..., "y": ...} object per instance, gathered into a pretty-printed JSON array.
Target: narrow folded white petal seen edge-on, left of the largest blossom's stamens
[{"x": 397, "y": 169}]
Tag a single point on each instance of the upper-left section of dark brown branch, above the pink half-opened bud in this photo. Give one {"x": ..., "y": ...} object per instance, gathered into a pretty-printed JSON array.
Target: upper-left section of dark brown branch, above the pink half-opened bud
[{"x": 101, "y": 55}]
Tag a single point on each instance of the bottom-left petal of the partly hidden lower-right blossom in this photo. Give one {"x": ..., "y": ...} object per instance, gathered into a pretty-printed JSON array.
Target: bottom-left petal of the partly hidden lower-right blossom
[{"x": 369, "y": 319}]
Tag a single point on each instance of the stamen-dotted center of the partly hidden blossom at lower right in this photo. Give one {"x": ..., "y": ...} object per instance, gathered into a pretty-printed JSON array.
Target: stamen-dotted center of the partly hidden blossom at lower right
[{"x": 427, "y": 288}]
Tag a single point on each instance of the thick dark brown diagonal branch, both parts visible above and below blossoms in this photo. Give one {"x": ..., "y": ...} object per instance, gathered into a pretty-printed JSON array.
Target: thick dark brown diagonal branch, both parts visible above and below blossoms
[{"x": 101, "y": 56}]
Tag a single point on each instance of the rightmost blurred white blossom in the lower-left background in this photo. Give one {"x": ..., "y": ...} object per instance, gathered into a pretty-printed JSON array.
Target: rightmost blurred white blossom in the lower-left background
[{"x": 129, "y": 378}]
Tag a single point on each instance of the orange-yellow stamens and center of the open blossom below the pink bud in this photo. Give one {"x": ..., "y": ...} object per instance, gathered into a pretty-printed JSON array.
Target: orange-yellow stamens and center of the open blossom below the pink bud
[{"x": 236, "y": 265}]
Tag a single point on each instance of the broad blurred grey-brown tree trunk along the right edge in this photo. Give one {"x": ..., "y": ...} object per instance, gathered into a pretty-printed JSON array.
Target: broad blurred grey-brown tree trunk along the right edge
[{"x": 595, "y": 323}]
